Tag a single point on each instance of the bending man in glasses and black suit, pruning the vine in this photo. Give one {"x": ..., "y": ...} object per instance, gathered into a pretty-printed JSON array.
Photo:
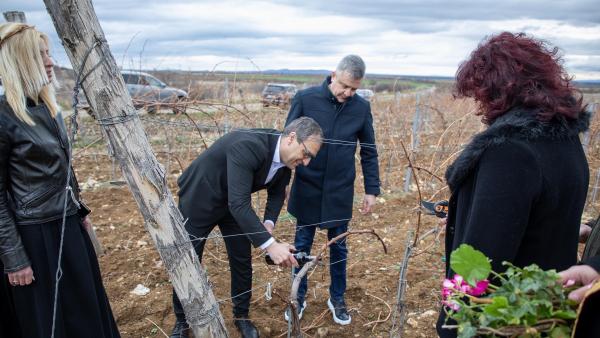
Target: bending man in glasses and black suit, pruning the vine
[{"x": 216, "y": 190}]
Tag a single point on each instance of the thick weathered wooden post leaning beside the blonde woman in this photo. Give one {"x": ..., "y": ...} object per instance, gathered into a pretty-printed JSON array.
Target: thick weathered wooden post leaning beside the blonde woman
[{"x": 80, "y": 32}]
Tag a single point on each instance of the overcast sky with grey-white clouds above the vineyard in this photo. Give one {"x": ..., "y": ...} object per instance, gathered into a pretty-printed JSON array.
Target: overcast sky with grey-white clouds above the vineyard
[{"x": 420, "y": 37}]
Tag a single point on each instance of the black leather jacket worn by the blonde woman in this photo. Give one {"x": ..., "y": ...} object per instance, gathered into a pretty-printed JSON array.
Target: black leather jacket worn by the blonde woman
[{"x": 33, "y": 174}]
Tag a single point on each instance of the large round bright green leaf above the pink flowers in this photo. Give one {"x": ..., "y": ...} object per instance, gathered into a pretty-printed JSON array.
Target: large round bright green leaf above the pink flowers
[{"x": 472, "y": 264}]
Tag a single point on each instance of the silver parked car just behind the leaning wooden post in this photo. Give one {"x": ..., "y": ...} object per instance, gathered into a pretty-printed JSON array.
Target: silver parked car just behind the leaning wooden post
[{"x": 148, "y": 92}]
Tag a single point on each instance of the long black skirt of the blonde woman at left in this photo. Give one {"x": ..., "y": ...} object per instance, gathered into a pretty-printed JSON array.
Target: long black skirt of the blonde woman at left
[{"x": 83, "y": 309}]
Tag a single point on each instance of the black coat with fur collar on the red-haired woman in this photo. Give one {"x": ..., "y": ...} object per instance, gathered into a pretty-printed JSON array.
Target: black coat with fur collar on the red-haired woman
[{"x": 518, "y": 191}]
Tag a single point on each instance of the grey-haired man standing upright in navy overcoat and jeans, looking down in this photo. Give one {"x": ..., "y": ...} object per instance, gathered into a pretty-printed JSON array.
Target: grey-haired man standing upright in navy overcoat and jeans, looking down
[{"x": 323, "y": 192}]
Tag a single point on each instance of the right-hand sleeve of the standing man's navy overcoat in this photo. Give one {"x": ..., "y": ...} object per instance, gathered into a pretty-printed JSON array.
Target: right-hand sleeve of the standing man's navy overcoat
[{"x": 368, "y": 156}]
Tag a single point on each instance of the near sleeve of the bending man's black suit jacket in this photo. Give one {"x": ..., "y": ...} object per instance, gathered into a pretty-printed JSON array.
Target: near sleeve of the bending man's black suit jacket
[{"x": 243, "y": 159}]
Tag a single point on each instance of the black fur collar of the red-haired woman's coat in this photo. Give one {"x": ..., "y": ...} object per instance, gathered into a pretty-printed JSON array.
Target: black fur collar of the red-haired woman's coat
[{"x": 517, "y": 124}]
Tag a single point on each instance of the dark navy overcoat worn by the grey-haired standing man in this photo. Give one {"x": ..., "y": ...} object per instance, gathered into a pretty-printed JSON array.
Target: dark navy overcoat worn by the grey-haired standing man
[{"x": 324, "y": 190}]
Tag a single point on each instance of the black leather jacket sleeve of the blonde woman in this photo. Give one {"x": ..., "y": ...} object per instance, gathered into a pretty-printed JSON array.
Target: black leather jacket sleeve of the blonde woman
[{"x": 13, "y": 254}]
